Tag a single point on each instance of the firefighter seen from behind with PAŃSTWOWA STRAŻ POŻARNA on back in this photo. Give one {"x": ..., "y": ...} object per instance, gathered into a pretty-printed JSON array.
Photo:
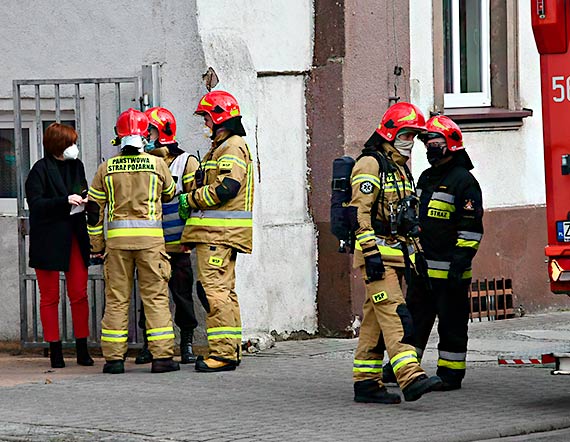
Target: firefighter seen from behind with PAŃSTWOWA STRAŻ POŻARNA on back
[{"x": 131, "y": 186}]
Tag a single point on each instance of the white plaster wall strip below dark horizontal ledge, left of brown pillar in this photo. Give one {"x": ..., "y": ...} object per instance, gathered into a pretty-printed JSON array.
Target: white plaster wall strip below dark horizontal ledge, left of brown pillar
[{"x": 279, "y": 279}]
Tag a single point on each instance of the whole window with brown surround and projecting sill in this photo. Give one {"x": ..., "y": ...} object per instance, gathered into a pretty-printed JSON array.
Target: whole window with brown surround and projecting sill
[{"x": 464, "y": 57}]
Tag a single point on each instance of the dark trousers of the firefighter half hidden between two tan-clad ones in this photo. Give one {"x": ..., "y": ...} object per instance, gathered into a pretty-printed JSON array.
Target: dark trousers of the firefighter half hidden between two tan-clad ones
[{"x": 180, "y": 286}]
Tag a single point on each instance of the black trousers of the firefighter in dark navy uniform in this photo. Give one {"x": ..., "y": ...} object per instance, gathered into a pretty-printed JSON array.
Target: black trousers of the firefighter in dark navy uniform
[{"x": 450, "y": 304}]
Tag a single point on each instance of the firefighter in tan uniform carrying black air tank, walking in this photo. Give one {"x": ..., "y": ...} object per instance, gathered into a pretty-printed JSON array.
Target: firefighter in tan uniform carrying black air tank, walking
[{"x": 381, "y": 185}]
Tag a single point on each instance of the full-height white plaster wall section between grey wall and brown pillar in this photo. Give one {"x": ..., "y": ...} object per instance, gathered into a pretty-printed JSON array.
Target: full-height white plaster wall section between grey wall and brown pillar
[{"x": 277, "y": 283}]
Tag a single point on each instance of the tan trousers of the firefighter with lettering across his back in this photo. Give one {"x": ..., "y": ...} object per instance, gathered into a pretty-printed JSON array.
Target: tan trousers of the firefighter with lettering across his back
[{"x": 153, "y": 272}]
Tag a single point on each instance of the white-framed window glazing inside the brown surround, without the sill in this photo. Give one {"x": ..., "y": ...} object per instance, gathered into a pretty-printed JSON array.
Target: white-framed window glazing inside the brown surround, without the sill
[{"x": 466, "y": 53}]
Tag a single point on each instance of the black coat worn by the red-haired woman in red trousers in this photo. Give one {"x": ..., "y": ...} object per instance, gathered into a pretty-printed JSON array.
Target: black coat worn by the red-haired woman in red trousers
[{"x": 51, "y": 225}]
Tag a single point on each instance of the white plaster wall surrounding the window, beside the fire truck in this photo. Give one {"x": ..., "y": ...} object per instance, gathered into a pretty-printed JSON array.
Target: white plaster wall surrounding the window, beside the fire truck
[{"x": 508, "y": 164}]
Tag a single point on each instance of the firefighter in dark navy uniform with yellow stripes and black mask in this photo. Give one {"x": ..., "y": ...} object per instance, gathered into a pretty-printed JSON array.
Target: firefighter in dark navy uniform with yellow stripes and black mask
[{"x": 451, "y": 212}]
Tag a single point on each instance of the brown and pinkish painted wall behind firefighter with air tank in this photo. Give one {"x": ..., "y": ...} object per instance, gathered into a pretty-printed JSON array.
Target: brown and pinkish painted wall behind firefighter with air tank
[{"x": 348, "y": 91}]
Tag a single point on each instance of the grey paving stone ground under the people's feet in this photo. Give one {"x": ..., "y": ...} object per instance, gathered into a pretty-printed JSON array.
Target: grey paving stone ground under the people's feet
[{"x": 301, "y": 391}]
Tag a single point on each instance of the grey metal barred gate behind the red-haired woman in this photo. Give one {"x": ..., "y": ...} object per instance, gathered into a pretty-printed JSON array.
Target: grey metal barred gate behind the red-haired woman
[{"x": 91, "y": 106}]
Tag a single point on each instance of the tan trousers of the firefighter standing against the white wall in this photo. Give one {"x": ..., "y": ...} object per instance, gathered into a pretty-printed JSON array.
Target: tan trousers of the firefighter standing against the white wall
[{"x": 216, "y": 280}]
